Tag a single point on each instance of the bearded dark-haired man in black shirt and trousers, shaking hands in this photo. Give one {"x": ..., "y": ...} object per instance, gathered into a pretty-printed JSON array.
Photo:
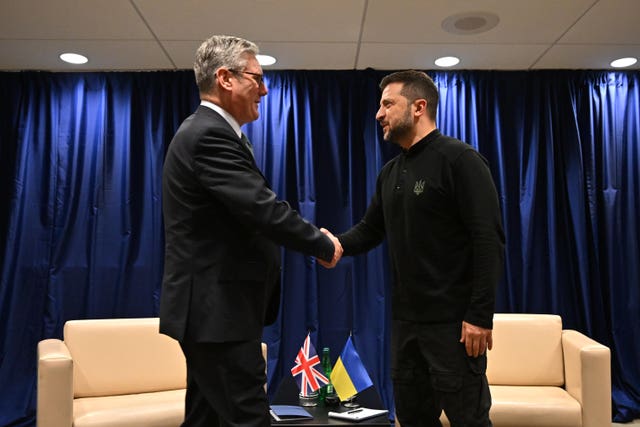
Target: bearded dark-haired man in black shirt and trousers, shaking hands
[{"x": 437, "y": 205}]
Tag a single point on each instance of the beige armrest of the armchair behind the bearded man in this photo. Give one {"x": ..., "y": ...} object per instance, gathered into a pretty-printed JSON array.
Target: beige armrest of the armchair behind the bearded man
[{"x": 587, "y": 365}]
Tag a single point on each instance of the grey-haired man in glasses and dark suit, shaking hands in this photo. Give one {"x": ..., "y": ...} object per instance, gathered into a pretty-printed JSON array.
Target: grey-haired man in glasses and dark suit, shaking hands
[{"x": 223, "y": 225}]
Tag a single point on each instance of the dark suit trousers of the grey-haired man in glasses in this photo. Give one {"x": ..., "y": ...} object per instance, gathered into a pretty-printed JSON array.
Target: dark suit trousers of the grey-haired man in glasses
[{"x": 225, "y": 385}]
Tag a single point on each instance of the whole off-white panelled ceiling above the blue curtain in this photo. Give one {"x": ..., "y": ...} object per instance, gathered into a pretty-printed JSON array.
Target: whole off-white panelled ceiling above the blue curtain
[{"x": 326, "y": 34}]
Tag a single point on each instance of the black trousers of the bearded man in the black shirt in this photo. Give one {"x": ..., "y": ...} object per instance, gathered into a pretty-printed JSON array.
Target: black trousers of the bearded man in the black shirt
[{"x": 431, "y": 372}]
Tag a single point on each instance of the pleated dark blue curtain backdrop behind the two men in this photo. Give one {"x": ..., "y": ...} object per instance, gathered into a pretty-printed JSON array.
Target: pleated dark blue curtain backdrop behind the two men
[{"x": 81, "y": 227}]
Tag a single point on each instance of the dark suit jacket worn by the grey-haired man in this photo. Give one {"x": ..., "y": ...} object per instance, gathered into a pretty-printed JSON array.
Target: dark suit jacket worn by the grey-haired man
[{"x": 223, "y": 225}]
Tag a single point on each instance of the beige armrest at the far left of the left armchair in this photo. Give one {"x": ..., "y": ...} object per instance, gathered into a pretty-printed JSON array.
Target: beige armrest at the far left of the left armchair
[{"x": 55, "y": 384}]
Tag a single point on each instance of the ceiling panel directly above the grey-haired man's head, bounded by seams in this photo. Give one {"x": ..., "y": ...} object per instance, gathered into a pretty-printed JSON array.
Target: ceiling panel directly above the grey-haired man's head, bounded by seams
[{"x": 282, "y": 20}]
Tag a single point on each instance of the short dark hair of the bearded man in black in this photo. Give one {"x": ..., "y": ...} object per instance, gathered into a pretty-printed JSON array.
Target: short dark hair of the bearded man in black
[{"x": 416, "y": 85}]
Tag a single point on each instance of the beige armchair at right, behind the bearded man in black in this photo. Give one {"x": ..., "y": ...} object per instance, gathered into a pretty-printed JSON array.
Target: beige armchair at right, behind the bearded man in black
[{"x": 543, "y": 376}]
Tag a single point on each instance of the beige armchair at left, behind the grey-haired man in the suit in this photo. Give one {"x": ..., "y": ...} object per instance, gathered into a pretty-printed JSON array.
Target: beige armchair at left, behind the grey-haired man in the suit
[{"x": 111, "y": 372}]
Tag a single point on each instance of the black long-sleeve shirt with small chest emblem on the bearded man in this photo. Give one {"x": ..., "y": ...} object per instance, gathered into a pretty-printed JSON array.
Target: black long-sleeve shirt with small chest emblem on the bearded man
[{"x": 438, "y": 207}]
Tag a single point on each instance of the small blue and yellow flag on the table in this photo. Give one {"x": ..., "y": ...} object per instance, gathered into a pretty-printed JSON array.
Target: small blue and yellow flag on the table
[{"x": 349, "y": 376}]
